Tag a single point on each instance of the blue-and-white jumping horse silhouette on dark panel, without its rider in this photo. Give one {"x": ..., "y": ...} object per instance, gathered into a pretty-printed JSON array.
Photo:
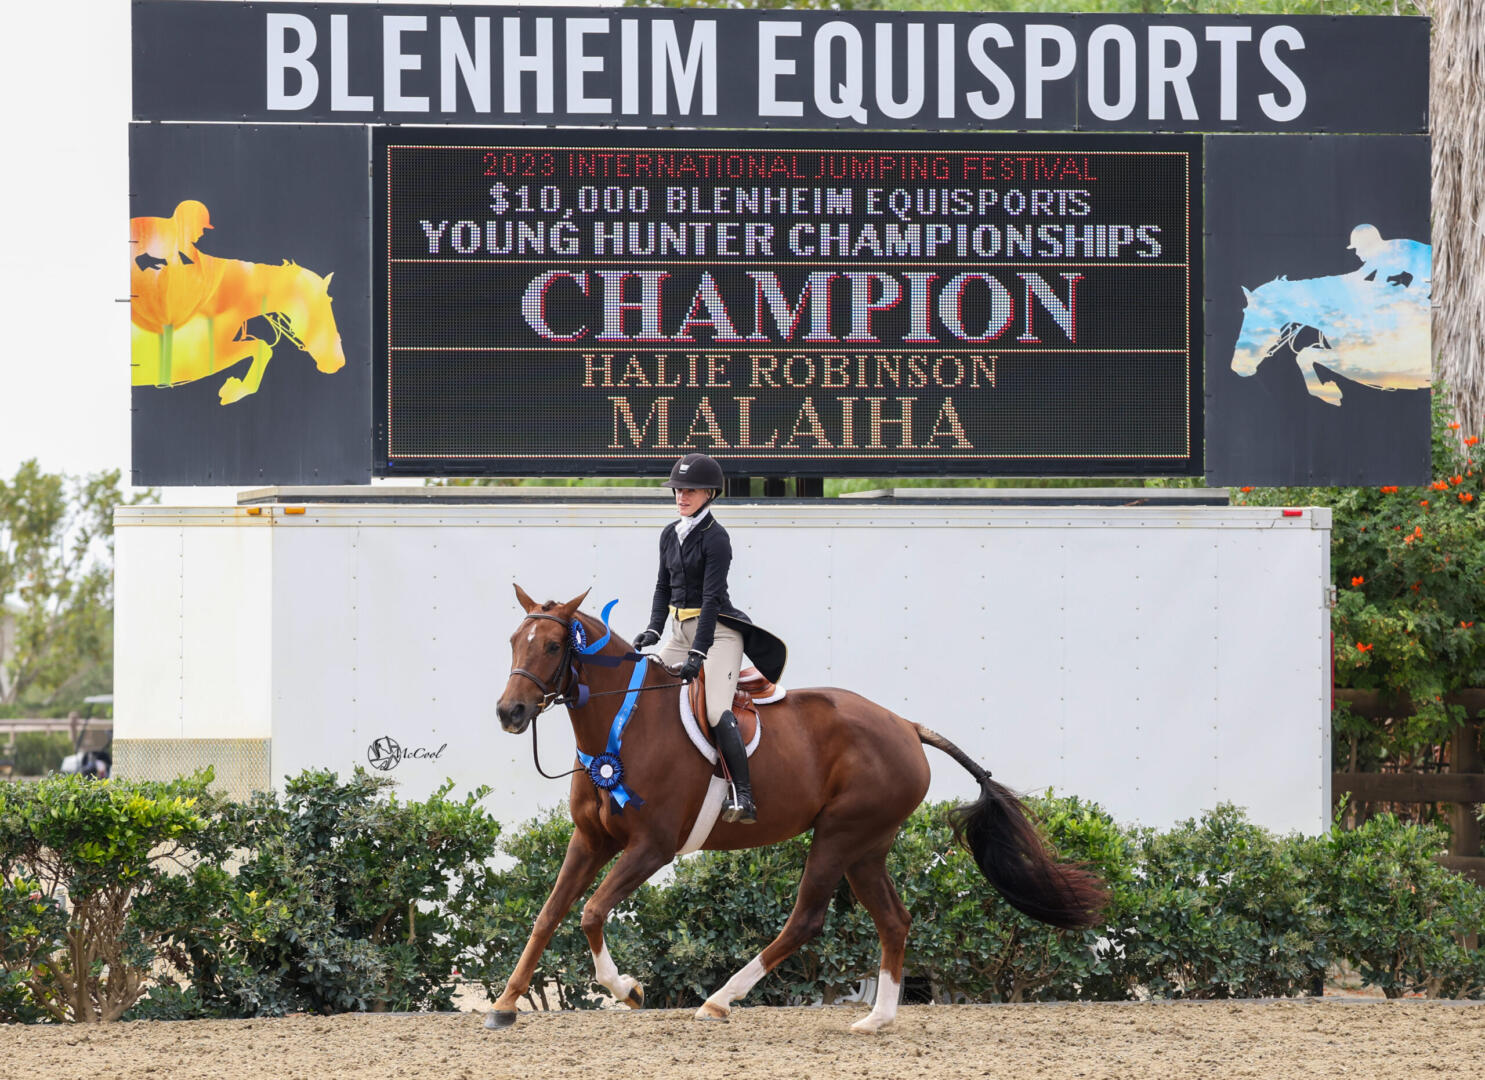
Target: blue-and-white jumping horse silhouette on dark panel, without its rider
[{"x": 1371, "y": 332}]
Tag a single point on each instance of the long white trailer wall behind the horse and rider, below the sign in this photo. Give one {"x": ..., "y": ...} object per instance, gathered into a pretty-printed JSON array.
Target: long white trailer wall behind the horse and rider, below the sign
[{"x": 1155, "y": 659}]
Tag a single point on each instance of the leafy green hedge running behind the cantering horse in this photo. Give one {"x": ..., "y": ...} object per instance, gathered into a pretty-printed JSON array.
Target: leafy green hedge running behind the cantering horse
[{"x": 336, "y": 897}]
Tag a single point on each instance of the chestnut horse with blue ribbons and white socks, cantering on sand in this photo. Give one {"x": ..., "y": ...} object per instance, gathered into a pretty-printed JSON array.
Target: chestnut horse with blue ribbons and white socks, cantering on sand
[{"x": 828, "y": 760}]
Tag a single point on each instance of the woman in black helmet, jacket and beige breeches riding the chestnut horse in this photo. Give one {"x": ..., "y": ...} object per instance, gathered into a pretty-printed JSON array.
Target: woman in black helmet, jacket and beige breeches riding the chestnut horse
[{"x": 708, "y": 632}]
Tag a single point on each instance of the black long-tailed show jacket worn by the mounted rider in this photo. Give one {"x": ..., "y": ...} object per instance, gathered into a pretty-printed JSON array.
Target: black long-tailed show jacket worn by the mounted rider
[{"x": 694, "y": 574}]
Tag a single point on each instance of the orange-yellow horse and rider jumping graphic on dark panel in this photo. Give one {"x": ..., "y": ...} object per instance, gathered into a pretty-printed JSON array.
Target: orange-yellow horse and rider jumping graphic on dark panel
[{"x": 191, "y": 311}]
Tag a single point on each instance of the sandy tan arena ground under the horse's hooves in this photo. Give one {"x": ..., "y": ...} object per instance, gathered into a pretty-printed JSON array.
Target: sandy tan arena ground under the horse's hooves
[{"x": 1276, "y": 1041}]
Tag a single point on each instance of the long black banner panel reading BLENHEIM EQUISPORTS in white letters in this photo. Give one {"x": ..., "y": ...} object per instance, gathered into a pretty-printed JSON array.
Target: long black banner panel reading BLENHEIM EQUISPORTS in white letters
[{"x": 384, "y": 63}]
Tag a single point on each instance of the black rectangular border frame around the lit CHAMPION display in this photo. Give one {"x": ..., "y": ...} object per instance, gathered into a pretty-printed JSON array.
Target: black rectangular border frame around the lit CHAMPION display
[{"x": 394, "y": 461}]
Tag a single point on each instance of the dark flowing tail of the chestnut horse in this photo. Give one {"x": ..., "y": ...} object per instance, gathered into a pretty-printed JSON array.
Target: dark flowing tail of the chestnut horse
[{"x": 1000, "y": 834}]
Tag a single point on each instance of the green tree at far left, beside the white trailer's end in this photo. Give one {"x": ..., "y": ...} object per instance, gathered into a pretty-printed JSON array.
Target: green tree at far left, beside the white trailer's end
[{"x": 57, "y": 583}]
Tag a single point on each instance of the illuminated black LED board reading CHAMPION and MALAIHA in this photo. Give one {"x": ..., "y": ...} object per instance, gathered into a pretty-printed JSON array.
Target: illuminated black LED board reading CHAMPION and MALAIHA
[{"x": 798, "y": 305}]
